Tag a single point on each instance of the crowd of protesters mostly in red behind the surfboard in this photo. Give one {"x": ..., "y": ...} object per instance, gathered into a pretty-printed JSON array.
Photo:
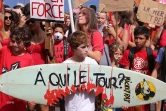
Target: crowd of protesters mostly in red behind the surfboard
[{"x": 116, "y": 39}]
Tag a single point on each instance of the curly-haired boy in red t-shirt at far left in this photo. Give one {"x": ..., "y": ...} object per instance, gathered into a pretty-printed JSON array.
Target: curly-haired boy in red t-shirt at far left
[{"x": 13, "y": 57}]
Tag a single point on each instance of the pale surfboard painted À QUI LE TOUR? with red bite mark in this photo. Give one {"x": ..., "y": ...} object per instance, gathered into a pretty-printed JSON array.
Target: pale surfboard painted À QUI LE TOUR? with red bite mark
[{"x": 46, "y": 83}]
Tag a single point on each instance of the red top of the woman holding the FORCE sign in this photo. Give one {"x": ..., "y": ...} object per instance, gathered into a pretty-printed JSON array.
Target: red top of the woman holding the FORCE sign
[{"x": 38, "y": 53}]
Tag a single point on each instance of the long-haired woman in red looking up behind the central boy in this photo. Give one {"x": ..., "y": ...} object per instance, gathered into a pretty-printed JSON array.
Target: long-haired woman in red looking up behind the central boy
[{"x": 86, "y": 21}]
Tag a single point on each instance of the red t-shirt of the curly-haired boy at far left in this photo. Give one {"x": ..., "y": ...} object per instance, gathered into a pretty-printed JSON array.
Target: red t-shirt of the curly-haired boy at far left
[{"x": 9, "y": 62}]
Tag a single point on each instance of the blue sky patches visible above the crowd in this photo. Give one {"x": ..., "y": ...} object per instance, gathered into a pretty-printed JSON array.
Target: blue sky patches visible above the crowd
[{"x": 12, "y": 3}]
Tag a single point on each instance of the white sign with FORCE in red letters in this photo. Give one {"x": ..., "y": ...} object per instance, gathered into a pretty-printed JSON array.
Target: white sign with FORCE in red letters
[{"x": 47, "y": 9}]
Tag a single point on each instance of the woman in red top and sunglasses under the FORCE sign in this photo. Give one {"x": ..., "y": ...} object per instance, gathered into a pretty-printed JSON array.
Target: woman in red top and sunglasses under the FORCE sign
[{"x": 37, "y": 48}]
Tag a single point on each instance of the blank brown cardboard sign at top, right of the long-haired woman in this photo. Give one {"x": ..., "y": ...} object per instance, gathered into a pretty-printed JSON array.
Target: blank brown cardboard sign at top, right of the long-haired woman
[{"x": 117, "y": 5}]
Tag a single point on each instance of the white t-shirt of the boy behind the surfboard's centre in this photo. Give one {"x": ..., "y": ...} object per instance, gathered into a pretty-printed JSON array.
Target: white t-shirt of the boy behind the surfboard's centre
[{"x": 80, "y": 101}]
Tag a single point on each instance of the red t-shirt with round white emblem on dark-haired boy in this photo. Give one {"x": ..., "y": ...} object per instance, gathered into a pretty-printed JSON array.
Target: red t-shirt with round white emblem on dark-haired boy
[{"x": 140, "y": 62}]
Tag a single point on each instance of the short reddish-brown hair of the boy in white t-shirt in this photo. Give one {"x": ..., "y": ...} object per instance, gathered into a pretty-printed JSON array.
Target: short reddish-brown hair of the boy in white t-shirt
[{"x": 77, "y": 38}]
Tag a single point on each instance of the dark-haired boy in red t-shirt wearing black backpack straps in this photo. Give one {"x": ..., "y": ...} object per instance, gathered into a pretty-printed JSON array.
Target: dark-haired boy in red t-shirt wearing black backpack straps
[{"x": 141, "y": 61}]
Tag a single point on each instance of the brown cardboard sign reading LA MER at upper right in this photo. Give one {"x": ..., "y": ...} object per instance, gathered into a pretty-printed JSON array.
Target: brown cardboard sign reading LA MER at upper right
[{"x": 151, "y": 12}]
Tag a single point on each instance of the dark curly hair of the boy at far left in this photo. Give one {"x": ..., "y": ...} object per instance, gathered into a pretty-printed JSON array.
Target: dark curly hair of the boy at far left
[{"x": 22, "y": 34}]
